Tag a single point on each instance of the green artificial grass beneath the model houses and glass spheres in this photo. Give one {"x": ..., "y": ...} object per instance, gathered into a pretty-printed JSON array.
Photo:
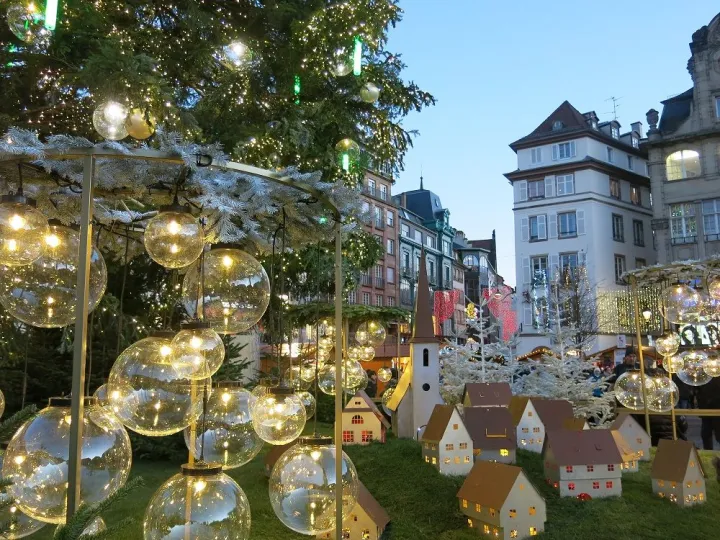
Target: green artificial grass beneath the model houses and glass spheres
[{"x": 422, "y": 504}]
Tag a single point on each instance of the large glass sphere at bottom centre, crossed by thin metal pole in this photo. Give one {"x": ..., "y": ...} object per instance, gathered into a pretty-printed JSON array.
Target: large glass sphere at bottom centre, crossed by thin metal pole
[{"x": 303, "y": 482}]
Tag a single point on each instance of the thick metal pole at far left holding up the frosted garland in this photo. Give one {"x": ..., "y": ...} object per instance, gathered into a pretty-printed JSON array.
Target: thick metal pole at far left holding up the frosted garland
[{"x": 82, "y": 292}]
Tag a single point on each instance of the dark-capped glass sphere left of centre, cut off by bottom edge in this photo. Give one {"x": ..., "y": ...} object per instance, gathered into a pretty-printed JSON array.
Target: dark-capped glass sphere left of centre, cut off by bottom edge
[{"x": 200, "y": 503}]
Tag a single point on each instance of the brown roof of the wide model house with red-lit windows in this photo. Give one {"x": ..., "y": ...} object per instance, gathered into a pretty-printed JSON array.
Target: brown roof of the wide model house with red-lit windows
[{"x": 588, "y": 447}]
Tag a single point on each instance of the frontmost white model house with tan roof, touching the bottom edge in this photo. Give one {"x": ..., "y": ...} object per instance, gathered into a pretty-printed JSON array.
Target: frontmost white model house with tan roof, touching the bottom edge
[{"x": 500, "y": 502}]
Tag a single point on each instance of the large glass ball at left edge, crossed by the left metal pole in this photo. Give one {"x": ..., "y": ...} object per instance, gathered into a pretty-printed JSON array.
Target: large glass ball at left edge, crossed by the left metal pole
[{"x": 42, "y": 293}]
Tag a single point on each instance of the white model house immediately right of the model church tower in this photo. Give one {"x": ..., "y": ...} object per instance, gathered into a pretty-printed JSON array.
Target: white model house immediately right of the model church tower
[{"x": 446, "y": 443}]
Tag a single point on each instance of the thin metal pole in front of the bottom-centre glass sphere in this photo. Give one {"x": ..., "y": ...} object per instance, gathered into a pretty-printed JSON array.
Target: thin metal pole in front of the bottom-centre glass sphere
[{"x": 338, "y": 380}]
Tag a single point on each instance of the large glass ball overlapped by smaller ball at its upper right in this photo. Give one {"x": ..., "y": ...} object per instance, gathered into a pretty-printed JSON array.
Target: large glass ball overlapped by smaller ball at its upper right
[{"x": 147, "y": 393}]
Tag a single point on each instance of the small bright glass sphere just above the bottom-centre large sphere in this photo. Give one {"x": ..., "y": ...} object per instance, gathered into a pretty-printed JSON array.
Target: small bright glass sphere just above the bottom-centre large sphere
[{"x": 279, "y": 416}]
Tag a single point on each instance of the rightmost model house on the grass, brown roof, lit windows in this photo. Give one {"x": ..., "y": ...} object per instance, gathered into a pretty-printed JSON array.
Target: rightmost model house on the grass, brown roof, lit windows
[{"x": 677, "y": 473}]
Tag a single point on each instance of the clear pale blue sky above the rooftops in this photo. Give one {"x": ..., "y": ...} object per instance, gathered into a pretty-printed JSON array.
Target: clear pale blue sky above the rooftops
[{"x": 498, "y": 69}]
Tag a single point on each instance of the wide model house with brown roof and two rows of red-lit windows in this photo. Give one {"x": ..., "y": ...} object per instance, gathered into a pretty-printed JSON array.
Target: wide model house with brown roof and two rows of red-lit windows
[{"x": 583, "y": 464}]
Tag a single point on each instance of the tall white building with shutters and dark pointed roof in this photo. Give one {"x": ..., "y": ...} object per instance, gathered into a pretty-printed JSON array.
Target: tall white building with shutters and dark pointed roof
[{"x": 581, "y": 199}]
